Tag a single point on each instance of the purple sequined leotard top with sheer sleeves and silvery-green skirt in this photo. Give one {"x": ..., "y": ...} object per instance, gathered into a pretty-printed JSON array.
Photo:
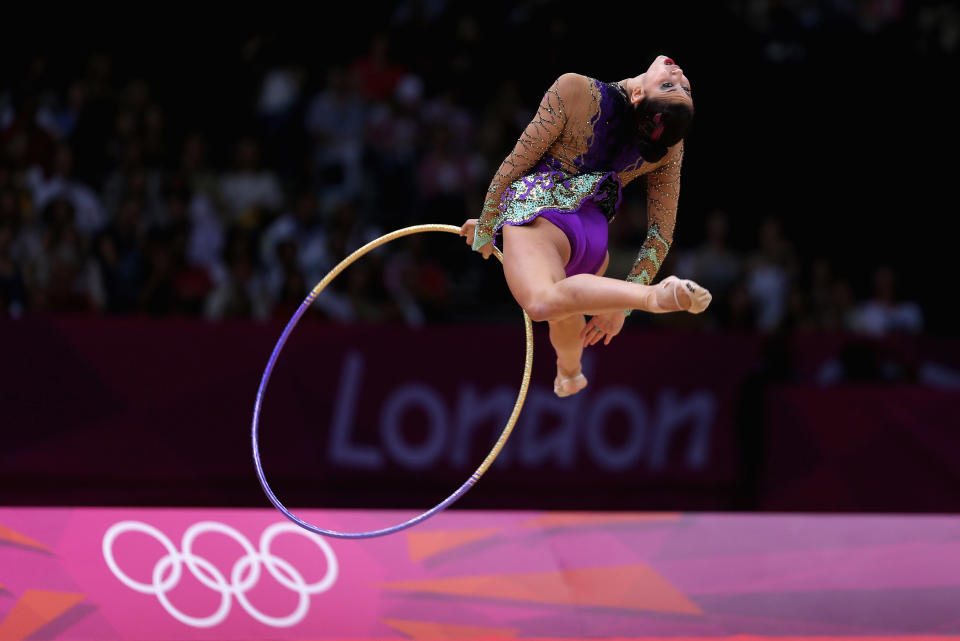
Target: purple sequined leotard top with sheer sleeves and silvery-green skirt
[{"x": 582, "y": 146}]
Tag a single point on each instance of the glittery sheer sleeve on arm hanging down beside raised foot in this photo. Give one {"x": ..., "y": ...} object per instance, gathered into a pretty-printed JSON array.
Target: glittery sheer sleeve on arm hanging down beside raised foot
[{"x": 663, "y": 191}]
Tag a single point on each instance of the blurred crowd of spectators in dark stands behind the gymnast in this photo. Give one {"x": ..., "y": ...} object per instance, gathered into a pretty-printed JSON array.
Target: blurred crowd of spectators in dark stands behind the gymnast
[{"x": 111, "y": 202}]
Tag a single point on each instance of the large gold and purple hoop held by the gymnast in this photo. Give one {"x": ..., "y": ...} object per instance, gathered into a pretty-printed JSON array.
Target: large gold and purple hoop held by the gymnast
[{"x": 447, "y": 502}]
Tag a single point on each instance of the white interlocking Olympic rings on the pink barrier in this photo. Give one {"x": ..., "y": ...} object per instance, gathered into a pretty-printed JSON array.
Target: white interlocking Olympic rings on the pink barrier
[{"x": 243, "y": 576}]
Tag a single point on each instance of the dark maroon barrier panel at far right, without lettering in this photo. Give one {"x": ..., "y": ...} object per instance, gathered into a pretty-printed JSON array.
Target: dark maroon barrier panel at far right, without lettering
[{"x": 833, "y": 448}]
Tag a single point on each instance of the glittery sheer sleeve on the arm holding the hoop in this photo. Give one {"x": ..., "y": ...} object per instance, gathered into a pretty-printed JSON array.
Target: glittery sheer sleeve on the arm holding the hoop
[{"x": 539, "y": 135}]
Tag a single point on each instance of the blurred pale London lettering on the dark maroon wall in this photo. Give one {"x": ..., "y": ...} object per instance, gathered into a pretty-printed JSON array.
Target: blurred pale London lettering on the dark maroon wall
[{"x": 549, "y": 430}]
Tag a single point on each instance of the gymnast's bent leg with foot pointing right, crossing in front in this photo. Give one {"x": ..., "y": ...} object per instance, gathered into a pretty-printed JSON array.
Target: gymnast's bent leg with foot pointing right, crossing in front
[{"x": 534, "y": 256}]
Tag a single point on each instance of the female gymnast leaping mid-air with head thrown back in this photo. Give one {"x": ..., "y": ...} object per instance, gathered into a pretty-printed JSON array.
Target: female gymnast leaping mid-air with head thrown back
[{"x": 555, "y": 193}]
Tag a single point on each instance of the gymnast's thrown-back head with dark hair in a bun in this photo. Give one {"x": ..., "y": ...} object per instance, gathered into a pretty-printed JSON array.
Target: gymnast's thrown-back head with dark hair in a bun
[{"x": 663, "y": 105}]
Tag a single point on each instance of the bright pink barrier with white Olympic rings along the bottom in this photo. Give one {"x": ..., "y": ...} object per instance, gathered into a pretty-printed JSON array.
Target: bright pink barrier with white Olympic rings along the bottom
[{"x": 178, "y": 574}]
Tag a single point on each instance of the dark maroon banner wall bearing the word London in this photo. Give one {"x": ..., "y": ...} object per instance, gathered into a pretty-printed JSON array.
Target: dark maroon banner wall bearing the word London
[{"x": 164, "y": 407}]
